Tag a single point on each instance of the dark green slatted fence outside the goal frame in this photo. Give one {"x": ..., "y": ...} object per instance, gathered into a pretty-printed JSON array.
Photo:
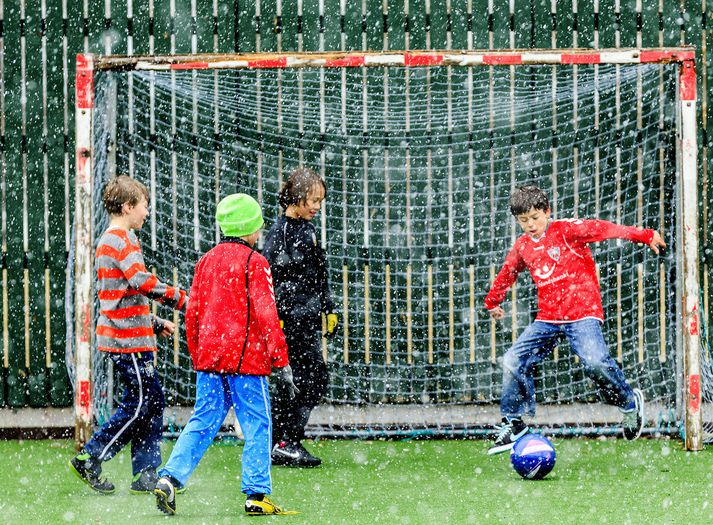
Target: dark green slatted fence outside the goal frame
[{"x": 39, "y": 39}]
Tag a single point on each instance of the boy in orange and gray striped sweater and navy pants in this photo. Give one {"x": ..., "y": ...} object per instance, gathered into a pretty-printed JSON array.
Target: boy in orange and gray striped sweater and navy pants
[{"x": 127, "y": 331}]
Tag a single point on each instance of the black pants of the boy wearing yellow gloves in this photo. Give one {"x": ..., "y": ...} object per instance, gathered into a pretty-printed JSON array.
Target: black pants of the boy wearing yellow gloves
[{"x": 290, "y": 416}]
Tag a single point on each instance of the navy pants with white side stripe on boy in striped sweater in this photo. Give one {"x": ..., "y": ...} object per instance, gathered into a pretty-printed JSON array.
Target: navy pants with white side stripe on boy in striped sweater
[{"x": 139, "y": 418}]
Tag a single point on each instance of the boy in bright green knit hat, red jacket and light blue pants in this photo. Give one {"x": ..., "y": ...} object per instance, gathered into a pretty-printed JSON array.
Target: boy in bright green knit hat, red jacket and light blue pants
[{"x": 235, "y": 341}]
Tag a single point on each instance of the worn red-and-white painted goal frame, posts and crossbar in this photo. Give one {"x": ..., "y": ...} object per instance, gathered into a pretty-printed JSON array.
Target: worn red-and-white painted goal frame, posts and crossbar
[{"x": 686, "y": 149}]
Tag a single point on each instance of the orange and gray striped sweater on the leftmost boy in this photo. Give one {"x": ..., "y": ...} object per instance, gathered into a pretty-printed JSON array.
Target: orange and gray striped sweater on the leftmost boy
[{"x": 124, "y": 287}]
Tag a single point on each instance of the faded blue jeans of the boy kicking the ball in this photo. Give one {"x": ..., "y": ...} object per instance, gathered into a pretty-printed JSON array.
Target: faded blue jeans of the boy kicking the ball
[{"x": 537, "y": 341}]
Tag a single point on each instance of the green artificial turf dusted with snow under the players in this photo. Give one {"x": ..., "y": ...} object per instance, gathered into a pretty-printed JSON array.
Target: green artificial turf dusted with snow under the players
[{"x": 392, "y": 482}]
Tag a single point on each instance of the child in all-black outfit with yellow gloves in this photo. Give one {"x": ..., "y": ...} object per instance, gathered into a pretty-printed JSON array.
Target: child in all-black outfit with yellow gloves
[{"x": 299, "y": 269}]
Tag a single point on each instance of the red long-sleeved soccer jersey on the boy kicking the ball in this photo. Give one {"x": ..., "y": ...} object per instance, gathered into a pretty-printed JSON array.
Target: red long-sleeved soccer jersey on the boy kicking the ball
[{"x": 562, "y": 267}]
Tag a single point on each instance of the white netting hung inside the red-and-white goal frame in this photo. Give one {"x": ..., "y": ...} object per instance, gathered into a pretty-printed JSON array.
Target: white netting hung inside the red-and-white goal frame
[{"x": 419, "y": 165}]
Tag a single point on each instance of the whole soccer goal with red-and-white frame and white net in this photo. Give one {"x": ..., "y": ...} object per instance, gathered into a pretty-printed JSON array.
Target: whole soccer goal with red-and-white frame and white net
[{"x": 420, "y": 152}]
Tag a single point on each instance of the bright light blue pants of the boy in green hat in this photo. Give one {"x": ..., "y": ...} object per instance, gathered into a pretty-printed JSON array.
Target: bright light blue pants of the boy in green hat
[{"x": 215, "y": 394}]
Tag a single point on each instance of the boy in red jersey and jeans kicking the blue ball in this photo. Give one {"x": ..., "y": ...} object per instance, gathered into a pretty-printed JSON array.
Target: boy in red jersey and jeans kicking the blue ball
[{"x": 569, "y": 304}]
